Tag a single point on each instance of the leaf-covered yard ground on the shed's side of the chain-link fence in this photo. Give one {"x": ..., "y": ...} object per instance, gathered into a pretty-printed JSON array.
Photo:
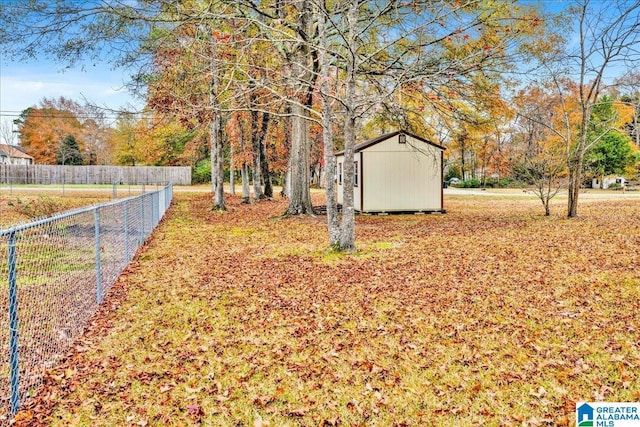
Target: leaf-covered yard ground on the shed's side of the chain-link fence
[{"x": 489, "y": 315}]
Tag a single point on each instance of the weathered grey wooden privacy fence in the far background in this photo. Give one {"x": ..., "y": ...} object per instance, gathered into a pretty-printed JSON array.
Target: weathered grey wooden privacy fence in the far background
[{"x": 134, "y": 175}]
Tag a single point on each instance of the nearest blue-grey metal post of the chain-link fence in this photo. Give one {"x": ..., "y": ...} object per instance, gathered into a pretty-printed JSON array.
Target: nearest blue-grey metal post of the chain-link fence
[{"x": 13, "y": 325}]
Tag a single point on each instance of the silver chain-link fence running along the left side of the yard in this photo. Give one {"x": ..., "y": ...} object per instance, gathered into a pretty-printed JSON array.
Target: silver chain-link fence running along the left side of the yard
[{"x": 53, "y": 275}]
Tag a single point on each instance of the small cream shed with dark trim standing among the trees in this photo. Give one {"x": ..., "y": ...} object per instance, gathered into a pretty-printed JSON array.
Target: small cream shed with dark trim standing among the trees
[{"x": 396, "y": 172}]
